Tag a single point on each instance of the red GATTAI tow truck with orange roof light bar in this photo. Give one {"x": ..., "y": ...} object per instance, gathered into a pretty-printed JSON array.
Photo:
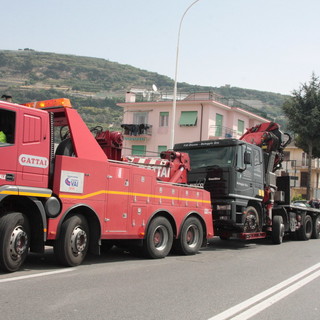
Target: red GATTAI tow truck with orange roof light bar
[{"x": 64, "y": 186}]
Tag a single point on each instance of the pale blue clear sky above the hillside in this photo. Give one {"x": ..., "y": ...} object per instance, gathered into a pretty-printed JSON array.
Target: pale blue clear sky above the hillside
[{"x": 269, "y": 45}]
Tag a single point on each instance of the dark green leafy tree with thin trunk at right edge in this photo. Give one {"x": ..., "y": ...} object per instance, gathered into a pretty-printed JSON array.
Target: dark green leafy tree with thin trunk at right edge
[{"x": 303, "y": 112}]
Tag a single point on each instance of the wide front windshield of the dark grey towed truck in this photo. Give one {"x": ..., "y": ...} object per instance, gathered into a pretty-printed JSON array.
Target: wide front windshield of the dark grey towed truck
[{"x": 207, "y": 157}]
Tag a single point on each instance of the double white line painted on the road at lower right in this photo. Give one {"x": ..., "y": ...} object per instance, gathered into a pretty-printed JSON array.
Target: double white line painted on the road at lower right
[{"x": 263, "y": 305}]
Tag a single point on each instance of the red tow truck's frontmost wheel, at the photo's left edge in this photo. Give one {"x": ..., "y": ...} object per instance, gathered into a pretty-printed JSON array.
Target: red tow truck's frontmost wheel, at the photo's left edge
[{"x": 14, "y": 241}]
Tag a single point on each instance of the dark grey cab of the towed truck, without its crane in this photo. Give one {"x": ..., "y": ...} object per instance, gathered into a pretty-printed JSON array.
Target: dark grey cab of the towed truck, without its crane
[{"x": 233, "y": 171}]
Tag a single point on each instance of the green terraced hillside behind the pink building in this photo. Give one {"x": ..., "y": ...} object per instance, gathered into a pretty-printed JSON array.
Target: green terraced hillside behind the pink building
[{"x": 95, "y": 85}]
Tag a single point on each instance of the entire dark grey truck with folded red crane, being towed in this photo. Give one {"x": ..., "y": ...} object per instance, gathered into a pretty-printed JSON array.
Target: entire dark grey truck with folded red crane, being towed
[{"x": 248, "y": 200}]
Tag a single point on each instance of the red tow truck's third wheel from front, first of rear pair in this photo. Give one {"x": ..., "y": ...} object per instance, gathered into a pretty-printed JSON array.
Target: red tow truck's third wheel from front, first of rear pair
[{"x": 158, "y": 241}]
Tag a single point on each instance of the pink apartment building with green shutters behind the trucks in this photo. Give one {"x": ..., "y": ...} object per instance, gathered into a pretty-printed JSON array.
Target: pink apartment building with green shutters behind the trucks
[{"x": 199, "y": 116}]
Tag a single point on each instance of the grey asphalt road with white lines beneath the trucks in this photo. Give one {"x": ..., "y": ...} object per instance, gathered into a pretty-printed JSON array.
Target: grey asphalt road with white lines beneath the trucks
[{"x": 227, "y": 280}]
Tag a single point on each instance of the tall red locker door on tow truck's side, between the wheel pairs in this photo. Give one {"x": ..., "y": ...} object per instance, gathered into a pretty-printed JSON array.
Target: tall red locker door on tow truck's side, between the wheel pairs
[{"x": 116, "y": 214}]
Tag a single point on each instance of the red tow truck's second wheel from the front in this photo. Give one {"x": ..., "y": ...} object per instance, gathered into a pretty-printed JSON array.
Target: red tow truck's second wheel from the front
[{"x": 72, "y": 245}]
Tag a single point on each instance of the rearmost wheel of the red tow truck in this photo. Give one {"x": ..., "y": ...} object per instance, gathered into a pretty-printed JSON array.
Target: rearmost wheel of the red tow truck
[{"x": 191, "y": 237}]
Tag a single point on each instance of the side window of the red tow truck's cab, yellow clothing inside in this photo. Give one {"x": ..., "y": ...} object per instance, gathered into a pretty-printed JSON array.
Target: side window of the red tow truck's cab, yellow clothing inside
[{"x": 7, "y": 127}]
